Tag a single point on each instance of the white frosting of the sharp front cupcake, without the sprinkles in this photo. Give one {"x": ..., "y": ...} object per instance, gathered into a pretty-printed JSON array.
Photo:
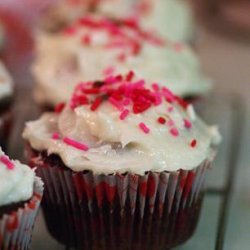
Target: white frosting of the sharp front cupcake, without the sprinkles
[{"x": 117, "y": 145}]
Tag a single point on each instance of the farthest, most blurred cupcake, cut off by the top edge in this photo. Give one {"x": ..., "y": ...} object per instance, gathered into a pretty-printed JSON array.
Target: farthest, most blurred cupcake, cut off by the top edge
[{"x": 172, "y": 18}]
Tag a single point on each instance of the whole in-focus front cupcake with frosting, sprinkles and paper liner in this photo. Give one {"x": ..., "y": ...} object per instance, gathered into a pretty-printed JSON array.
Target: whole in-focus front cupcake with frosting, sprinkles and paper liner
[{"x": 123, "y": 163}]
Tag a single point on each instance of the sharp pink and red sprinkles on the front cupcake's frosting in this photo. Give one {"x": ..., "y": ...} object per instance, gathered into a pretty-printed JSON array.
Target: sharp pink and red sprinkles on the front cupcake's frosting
[{"x": 129, "y": 96}]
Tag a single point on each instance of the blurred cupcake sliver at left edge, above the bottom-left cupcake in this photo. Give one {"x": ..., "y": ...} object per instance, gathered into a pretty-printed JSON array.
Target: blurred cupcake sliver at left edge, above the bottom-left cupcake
[{"x": 6, "y": 96}]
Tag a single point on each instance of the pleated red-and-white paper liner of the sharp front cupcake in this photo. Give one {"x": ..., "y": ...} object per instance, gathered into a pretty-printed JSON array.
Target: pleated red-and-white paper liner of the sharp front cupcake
[{"x": 120, "y": 211}]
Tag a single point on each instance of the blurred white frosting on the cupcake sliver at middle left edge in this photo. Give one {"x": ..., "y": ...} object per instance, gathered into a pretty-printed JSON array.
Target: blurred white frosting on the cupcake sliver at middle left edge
[{"x": 6, "y": 83}]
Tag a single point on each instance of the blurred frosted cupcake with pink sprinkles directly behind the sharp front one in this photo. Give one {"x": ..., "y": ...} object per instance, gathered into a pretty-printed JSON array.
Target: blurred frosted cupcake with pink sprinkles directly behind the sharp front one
[{"x": 95, "y": 47}]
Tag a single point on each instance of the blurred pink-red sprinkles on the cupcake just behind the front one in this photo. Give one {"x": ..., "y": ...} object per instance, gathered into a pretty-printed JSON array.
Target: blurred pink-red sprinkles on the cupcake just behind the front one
[{"x": 125, "y": 34}]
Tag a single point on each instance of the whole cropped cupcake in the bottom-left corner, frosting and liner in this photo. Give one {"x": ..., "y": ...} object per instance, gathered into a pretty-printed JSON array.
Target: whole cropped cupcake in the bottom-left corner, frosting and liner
[{"x": 20, "y": 196}]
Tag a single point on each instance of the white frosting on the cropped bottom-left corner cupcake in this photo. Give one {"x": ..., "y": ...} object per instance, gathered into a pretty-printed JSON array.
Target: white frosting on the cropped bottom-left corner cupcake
[{"x": 16, "y": 185}]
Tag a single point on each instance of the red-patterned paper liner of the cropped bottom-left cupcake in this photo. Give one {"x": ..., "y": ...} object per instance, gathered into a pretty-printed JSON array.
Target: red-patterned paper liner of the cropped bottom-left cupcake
[{"x": 16, "y": 227}]
